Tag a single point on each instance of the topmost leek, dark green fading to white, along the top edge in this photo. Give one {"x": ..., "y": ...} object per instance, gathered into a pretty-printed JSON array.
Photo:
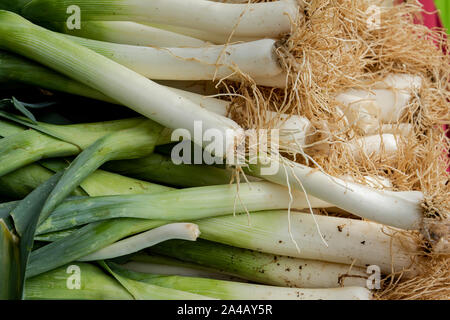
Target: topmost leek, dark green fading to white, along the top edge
[{"x": 270, "y": 19}]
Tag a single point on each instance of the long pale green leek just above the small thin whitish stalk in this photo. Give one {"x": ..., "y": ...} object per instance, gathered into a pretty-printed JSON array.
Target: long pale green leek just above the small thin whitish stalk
[{"x": 177, "y": 205}]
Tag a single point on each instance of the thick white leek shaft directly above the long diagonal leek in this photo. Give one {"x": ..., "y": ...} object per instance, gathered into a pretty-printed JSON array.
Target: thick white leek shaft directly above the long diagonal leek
[{"x": 206, "y": 63}]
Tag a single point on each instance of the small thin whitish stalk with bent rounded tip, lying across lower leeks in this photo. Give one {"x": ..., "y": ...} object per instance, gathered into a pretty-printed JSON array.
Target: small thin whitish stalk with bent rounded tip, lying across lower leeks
[{"x": 184, "y": 231}]
